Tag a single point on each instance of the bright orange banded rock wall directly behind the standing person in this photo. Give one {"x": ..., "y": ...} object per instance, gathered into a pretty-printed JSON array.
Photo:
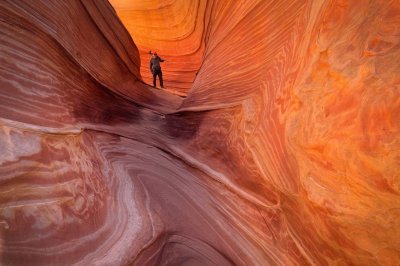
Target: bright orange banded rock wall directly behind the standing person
[{"x": 175, "y": 29}]
